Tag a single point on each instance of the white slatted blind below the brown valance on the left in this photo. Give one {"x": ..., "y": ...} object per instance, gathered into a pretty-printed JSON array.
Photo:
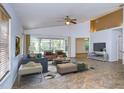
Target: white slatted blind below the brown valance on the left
[{"x": 4, "y": 49}]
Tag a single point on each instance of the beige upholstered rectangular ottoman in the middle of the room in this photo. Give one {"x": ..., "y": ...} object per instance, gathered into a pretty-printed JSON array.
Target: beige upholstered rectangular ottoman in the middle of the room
[{"x": 66, "y": 68}]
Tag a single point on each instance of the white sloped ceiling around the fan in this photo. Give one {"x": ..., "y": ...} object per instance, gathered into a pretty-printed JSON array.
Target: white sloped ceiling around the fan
[{"x": 37, "y": 15}]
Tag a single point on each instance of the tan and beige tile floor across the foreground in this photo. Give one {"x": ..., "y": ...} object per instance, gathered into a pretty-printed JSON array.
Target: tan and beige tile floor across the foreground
[{"x": 105, "y": 75}]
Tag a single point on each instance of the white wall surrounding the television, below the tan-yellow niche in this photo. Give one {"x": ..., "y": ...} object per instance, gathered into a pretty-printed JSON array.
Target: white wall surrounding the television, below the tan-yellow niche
[{"x": 108, "y": 36}]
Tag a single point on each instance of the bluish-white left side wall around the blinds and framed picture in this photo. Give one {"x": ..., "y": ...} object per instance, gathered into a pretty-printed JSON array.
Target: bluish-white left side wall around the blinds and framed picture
[{"x": 16, "y": 29}]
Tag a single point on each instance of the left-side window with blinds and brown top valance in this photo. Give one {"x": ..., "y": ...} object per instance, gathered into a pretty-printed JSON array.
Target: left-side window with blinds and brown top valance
[{"x": 4, "y": 43}]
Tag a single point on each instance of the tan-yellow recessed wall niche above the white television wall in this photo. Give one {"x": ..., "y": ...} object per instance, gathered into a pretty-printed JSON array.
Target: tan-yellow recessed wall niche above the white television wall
[{"x": 111, "y": 20}]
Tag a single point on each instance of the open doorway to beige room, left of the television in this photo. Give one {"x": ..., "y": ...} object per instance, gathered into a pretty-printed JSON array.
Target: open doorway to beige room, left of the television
[{"x": 82, "y": 47}]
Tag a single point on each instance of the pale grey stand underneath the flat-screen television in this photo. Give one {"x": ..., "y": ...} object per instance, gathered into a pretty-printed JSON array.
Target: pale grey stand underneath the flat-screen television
[{"x": 98, "y": 55}]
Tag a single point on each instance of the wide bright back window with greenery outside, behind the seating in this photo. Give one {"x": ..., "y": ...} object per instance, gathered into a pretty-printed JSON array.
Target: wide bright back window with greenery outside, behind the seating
[{"x": 39, "y": 45}]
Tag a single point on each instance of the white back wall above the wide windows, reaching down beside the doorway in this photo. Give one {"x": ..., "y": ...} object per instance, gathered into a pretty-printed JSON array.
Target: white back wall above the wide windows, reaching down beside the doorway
[{"x": 73, "y": 31}]
